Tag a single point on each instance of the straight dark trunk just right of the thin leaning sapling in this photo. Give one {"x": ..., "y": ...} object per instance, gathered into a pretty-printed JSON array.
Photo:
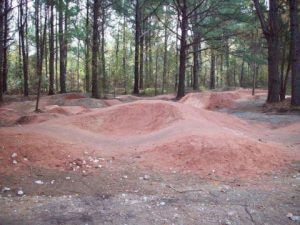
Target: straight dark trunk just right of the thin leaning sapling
[{"x": 51, "y": 49}]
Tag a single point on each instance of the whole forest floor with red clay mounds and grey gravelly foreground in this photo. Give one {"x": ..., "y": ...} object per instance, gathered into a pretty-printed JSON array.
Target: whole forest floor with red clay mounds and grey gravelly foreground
[{"x": 211, "y": 158}]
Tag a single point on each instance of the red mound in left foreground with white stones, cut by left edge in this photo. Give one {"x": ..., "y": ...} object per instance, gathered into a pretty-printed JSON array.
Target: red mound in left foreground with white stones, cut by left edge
[{"x": 35, "y": 150}]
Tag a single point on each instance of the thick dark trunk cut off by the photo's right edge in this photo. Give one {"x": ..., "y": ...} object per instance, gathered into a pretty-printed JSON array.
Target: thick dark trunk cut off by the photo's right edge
[{"x": 295, "y": 47}]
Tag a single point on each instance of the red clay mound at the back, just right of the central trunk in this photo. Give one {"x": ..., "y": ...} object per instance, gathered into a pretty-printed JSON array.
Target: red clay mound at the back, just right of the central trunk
[{"x": 211, "y": 100}]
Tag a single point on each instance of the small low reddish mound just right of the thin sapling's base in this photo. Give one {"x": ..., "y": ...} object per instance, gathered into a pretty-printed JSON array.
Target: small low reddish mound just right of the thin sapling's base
[{"x": 66, "y": 110}]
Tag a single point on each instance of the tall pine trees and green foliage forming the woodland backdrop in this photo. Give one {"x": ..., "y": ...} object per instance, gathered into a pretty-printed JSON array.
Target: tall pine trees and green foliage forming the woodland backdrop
[{"x": 109, "y": 47}]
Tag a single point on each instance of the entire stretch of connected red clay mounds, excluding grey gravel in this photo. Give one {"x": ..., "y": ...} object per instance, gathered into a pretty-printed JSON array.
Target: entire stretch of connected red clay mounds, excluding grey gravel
[{"x": 163, "y": 135}]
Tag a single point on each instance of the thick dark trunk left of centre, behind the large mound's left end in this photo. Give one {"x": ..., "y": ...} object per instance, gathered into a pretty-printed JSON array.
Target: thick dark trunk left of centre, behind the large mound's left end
[{"x": 95, "y": 49}]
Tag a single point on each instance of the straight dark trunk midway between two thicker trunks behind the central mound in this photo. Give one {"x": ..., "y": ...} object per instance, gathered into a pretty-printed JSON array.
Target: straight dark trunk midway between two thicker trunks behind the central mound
[{"x": 137, "y": 44}]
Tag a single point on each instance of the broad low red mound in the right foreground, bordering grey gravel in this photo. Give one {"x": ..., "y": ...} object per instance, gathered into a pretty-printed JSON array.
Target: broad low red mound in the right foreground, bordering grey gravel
[{"x": 222, "y": 155}]
